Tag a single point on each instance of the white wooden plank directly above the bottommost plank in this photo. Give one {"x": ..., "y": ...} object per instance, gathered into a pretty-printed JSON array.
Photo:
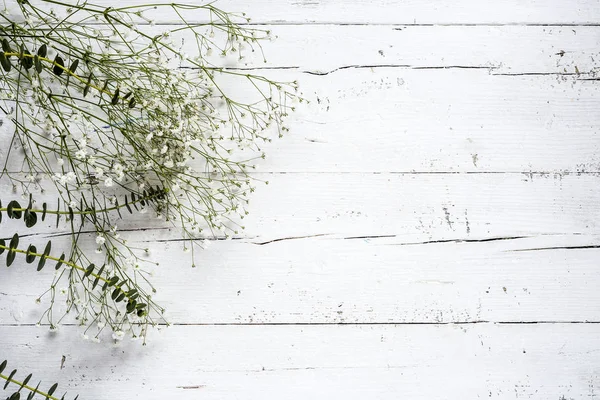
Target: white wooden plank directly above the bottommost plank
[{"x": 356, "y": 280}]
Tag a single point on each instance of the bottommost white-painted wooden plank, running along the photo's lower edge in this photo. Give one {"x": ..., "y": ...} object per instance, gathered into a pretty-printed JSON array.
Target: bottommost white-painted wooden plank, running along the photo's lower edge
[{"x": 322, "y": 362}]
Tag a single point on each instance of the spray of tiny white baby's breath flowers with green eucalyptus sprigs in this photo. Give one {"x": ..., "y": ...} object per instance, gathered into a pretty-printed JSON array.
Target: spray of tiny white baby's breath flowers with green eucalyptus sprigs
[{"x": 118, "y": 115}]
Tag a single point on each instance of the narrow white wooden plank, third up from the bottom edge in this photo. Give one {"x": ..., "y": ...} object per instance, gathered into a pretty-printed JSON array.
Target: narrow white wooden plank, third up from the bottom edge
[{"x": 413, "y": 207}]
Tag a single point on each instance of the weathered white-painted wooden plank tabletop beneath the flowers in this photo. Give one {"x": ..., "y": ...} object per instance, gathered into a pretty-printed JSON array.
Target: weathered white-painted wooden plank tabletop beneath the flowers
[{"x": 431, "y": 229}]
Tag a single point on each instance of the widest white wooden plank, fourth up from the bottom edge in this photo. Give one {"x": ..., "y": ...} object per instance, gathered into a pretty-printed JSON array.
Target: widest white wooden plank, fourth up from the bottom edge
[{"x": 452, "y": 120}]
